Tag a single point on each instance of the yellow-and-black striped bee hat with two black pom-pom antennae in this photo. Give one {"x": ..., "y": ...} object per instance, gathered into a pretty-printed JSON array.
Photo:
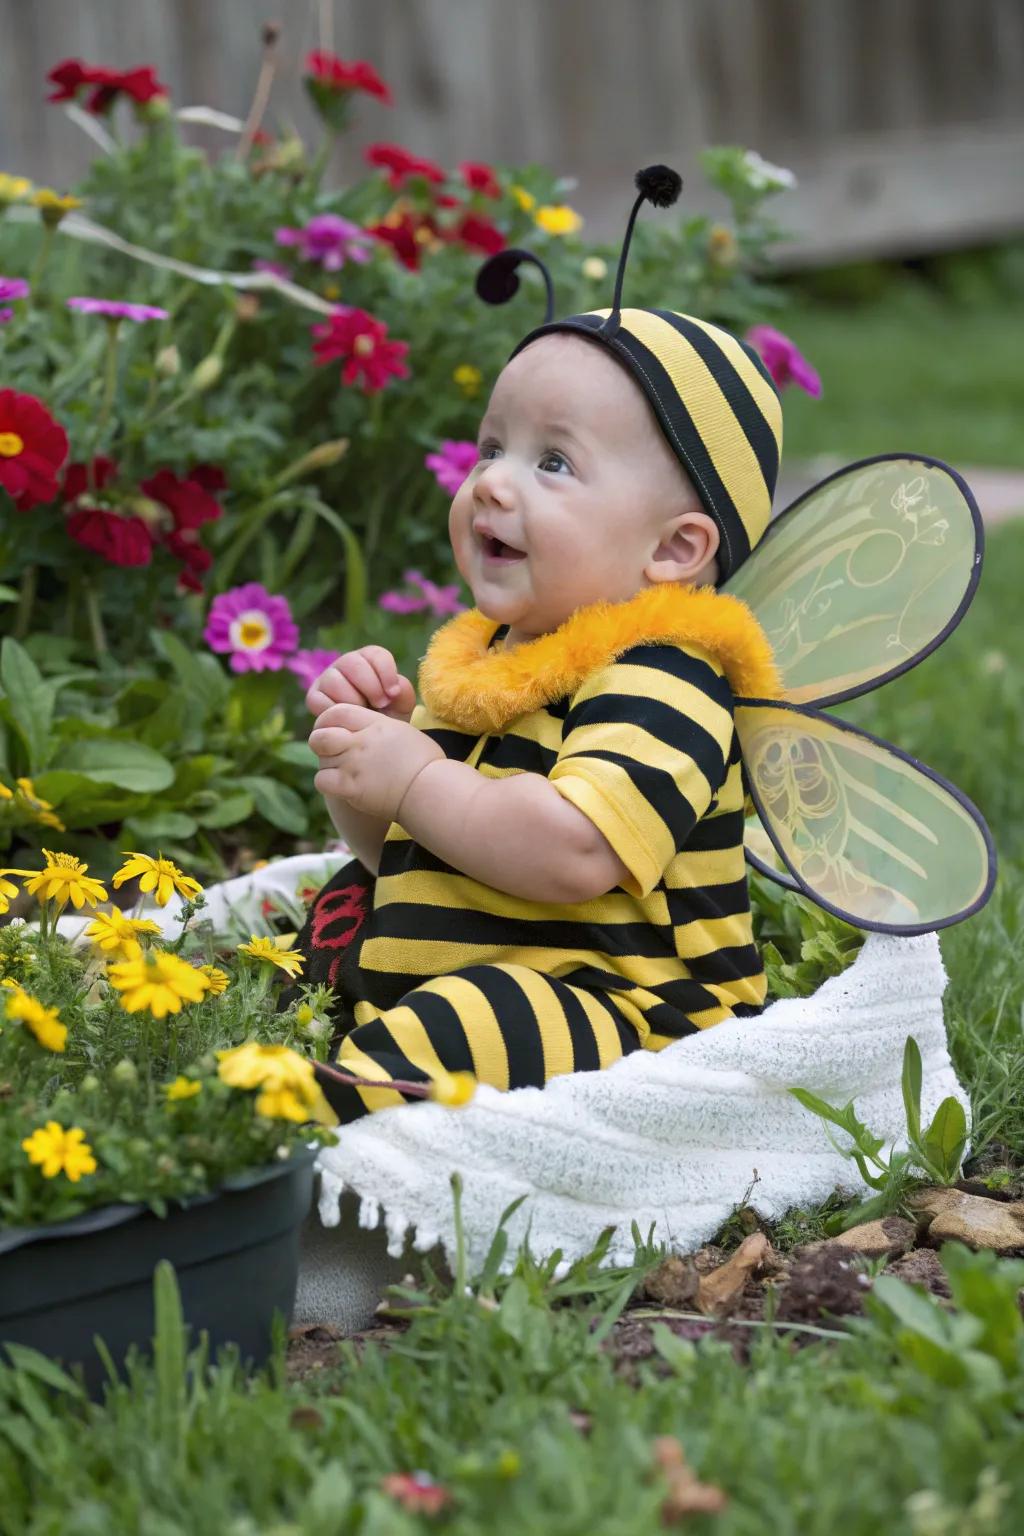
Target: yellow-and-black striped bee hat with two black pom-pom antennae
[{"x": 712, "y": 394}]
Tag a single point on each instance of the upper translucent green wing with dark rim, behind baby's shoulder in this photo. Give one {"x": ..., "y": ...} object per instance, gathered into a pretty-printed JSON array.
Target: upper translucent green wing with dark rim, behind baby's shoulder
[{"x": 864, "y": 577}]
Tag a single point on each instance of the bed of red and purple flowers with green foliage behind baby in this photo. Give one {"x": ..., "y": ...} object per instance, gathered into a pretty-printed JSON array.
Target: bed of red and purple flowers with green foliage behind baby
[{"x": 236, "y": 405}]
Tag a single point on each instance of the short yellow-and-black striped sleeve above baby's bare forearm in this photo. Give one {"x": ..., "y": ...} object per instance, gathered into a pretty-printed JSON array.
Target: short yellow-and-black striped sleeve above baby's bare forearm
[{"x": 646, "y": 750}]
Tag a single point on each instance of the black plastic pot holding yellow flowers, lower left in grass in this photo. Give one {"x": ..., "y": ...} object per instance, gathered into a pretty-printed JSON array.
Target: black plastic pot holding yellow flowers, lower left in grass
[{"x": 236, "y": 1254}]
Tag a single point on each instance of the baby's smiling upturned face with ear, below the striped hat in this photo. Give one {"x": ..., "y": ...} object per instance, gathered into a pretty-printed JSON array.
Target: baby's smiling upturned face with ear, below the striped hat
[{"x": 572, "y": 494}]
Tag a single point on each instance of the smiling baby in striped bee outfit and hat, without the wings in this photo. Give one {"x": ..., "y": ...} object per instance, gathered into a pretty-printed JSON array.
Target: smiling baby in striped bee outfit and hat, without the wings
[{"x": 557, "y": 832}]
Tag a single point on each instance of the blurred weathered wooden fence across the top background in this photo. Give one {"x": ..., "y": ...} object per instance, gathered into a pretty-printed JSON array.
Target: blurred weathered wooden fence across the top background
[{"x": 903, "y": 119}]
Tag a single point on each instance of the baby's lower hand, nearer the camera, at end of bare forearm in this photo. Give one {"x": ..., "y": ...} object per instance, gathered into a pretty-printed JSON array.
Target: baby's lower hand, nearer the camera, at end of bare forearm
[{"x": 369, "y": 760}]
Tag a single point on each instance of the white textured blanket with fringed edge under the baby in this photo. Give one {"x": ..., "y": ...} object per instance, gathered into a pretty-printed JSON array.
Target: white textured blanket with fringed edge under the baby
[{"x": 672, "y": 1139}]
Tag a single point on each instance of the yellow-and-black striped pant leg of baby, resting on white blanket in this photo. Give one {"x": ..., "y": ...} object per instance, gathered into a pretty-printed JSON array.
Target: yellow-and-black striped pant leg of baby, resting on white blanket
[{"x": 507, "y": 1025}]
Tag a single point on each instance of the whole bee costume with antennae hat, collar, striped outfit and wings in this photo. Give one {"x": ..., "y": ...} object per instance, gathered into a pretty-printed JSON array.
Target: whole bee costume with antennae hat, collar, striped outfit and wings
[{"x": 667, "y": 720}]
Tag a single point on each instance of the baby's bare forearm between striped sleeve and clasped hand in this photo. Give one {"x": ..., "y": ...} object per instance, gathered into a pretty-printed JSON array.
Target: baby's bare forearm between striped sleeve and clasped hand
[{"x": 517, "y": 835}]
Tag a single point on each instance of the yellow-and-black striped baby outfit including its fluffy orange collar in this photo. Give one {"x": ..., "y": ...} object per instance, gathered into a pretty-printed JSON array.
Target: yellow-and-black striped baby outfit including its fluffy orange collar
[{"x": 633, "y": 724}]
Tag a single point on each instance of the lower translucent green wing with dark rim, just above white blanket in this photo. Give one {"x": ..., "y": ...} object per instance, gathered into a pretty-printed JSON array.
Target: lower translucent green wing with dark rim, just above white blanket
[{"x": 864, "y": 830}]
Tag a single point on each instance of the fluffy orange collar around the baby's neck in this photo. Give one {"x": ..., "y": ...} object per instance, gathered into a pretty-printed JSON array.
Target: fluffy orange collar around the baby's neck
[{"x": 484, "y": 690}]
